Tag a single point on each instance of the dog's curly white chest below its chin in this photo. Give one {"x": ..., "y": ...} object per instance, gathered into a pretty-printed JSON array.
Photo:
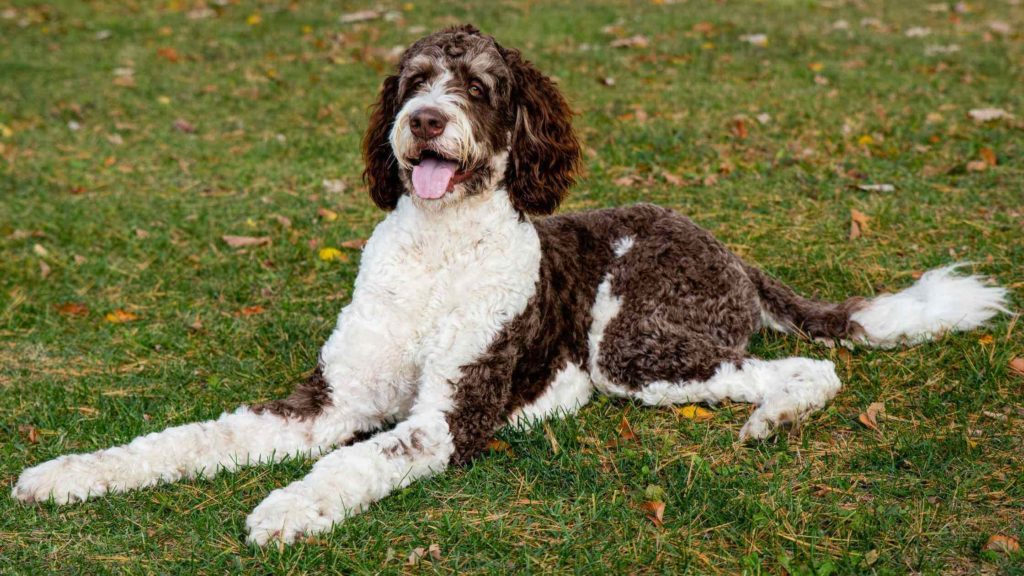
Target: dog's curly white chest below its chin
[{"x": 447, "y": 278}]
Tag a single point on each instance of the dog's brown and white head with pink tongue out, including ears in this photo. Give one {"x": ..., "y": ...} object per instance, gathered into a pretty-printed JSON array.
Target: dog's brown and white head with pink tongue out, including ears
[{"x": 463, "y": 115}]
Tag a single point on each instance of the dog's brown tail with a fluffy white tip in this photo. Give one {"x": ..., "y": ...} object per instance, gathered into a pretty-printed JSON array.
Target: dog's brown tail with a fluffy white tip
[{"x": 941, "y": 302}]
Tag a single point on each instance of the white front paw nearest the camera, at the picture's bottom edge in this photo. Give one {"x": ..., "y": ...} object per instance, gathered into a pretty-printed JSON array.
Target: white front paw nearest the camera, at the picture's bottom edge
[{"x": 286, "y": 515}]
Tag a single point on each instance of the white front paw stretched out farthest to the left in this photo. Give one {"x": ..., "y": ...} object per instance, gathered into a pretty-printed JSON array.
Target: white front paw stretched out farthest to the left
[{"x": 68, "y": 479}]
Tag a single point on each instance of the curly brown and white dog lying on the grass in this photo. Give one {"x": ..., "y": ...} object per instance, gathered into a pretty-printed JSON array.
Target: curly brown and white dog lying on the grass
[{"x": 472, "y": 313}]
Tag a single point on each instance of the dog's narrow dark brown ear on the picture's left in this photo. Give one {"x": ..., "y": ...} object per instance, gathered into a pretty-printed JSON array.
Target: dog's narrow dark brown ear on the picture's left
[{"x": 381, "y": 173}]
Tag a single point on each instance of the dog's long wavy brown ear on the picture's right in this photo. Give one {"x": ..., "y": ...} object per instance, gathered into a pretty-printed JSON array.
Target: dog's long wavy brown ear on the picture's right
[{"x": 545, "y": 153}]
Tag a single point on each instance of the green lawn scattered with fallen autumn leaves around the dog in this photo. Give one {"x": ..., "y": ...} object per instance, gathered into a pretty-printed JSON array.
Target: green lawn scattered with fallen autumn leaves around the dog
[{"x": 127, "y": 213}]
